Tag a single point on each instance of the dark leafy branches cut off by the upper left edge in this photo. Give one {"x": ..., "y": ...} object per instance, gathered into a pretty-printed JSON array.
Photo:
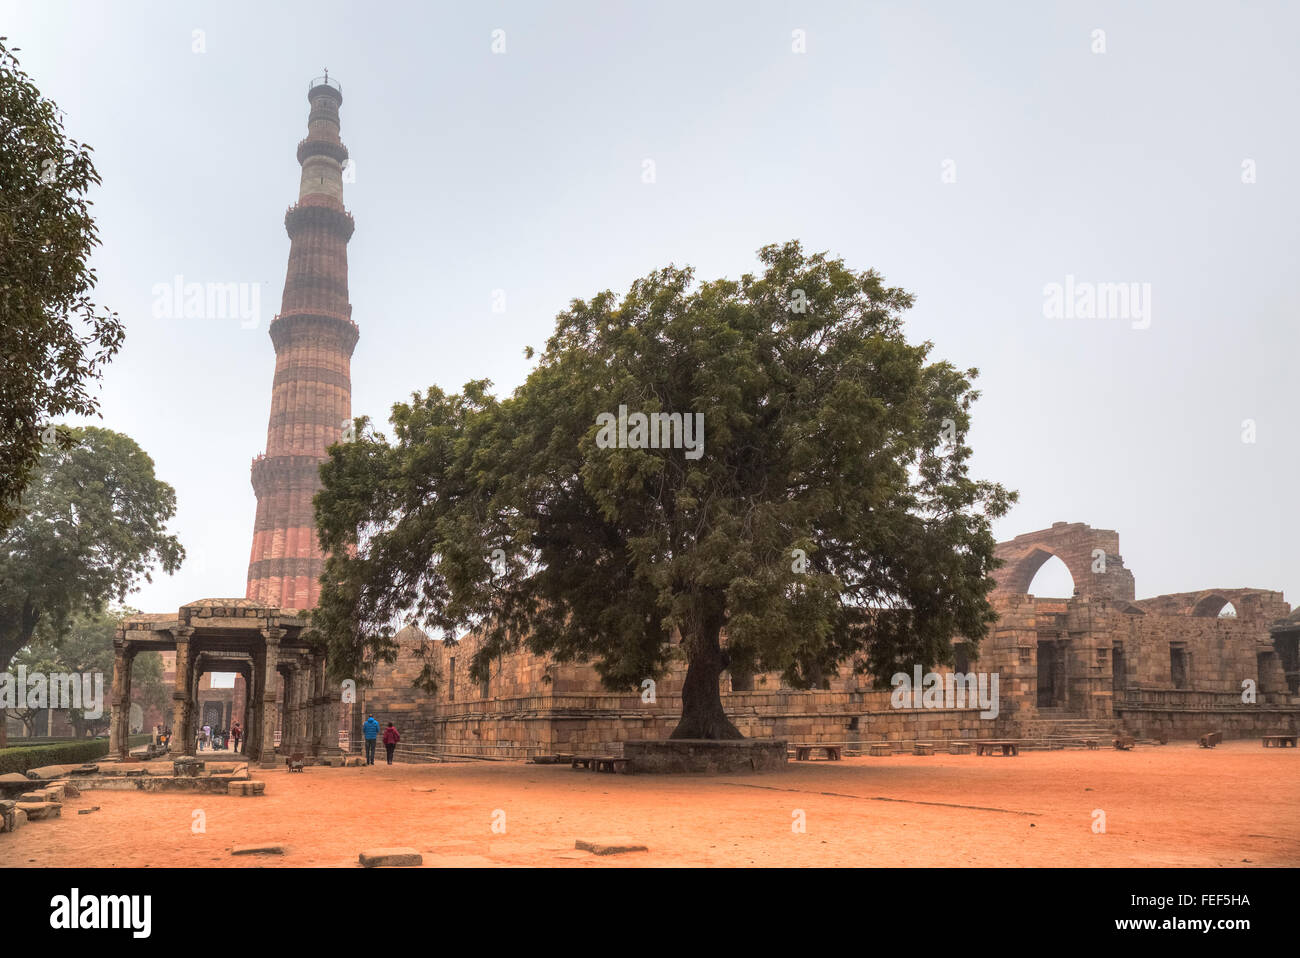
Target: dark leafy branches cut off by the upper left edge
[{"x": 54, "y": 340}]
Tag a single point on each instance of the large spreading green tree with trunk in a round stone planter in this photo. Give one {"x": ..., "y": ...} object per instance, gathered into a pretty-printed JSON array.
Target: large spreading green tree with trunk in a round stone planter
[{"x": 827, "y": 518}]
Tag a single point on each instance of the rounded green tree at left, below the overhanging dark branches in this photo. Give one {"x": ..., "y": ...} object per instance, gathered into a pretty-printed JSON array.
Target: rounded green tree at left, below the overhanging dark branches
[{"x": 93, "y": 523}]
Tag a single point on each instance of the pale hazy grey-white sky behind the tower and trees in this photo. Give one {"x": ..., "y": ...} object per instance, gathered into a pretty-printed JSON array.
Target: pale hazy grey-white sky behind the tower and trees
[{"x": 523, "y": 172}]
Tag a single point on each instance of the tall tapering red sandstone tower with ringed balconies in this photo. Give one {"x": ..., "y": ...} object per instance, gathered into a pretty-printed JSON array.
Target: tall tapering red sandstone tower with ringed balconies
[{"x": 311, "y": 397}]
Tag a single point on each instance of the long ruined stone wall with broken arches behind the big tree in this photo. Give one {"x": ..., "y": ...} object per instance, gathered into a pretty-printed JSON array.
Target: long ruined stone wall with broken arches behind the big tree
[{"x": 534, "y": 705}]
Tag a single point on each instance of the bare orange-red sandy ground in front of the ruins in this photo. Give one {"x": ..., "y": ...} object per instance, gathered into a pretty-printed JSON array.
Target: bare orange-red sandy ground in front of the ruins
[{"x": 1175, "y": 805}]
